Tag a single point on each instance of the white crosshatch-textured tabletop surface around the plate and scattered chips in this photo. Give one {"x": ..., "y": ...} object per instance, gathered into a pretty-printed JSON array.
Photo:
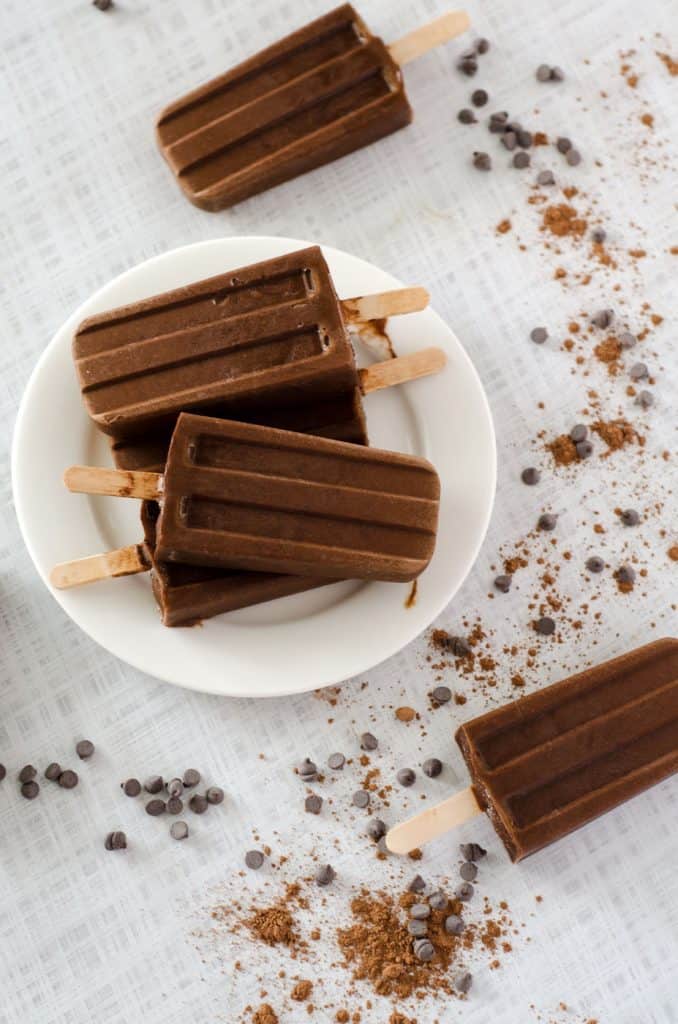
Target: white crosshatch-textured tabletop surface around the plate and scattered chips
[{"x": 90, "y": 936}]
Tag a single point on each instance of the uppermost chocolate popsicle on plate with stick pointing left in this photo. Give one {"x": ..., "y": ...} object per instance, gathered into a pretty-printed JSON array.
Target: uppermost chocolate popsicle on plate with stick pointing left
[{"x": 241, "y": 496}]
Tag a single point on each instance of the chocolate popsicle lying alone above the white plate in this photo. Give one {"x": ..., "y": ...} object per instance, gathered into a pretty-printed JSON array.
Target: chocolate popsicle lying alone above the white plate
[{"x": 322, "y": 93}]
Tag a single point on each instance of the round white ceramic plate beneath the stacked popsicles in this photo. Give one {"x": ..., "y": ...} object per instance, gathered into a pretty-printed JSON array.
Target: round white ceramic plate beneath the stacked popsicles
[{"x": 298, "y": 644}]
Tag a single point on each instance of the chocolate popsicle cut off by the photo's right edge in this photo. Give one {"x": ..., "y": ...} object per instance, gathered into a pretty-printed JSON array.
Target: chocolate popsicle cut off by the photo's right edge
[{"x": 555, "y": 761}]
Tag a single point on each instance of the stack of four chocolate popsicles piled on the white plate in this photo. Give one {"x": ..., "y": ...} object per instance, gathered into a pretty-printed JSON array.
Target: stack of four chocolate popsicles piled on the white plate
[{"x": 235, "y": 412}]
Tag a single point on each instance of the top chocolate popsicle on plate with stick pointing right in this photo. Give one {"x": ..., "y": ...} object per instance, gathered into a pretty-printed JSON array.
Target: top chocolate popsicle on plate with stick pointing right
[{"x": 265, "y": 338}]
